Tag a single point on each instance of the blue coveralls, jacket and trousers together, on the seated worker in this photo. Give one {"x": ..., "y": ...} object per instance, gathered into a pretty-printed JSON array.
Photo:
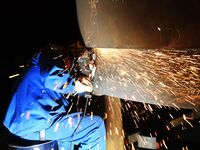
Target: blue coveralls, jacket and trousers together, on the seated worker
[{"x": 37, "y": 103}]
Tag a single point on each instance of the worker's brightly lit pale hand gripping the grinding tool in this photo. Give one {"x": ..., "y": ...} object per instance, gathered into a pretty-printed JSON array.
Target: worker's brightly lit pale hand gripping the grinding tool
[{"x": 83, "y": 85}]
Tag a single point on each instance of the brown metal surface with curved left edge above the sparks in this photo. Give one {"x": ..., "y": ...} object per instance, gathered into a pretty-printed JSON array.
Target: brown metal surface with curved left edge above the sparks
[{"x": 139, "y": 23}]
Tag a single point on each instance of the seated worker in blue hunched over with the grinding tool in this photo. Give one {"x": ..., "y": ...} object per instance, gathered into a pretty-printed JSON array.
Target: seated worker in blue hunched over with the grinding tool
[{"x": 39, "y": 107}]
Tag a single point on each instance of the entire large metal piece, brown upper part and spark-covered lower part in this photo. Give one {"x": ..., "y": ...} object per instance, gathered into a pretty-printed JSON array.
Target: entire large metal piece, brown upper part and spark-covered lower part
[{"x": 151, "y": 59}]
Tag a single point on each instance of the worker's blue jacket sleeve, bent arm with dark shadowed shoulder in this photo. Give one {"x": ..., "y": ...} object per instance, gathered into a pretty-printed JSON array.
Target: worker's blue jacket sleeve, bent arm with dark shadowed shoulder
[{"x": 55, "y": 75}]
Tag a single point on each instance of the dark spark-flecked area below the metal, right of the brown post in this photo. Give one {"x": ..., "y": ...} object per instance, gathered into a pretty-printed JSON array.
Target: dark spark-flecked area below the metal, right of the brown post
[{"x": 161, "y": 123}]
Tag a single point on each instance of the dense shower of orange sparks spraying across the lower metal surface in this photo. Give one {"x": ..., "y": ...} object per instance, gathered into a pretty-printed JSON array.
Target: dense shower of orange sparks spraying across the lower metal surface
[{"x": 156, "y": 76}]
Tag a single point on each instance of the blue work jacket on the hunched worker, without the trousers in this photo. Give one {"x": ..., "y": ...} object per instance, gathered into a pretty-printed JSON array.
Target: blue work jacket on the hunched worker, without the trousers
[{"x": 37, "y": 99}]
